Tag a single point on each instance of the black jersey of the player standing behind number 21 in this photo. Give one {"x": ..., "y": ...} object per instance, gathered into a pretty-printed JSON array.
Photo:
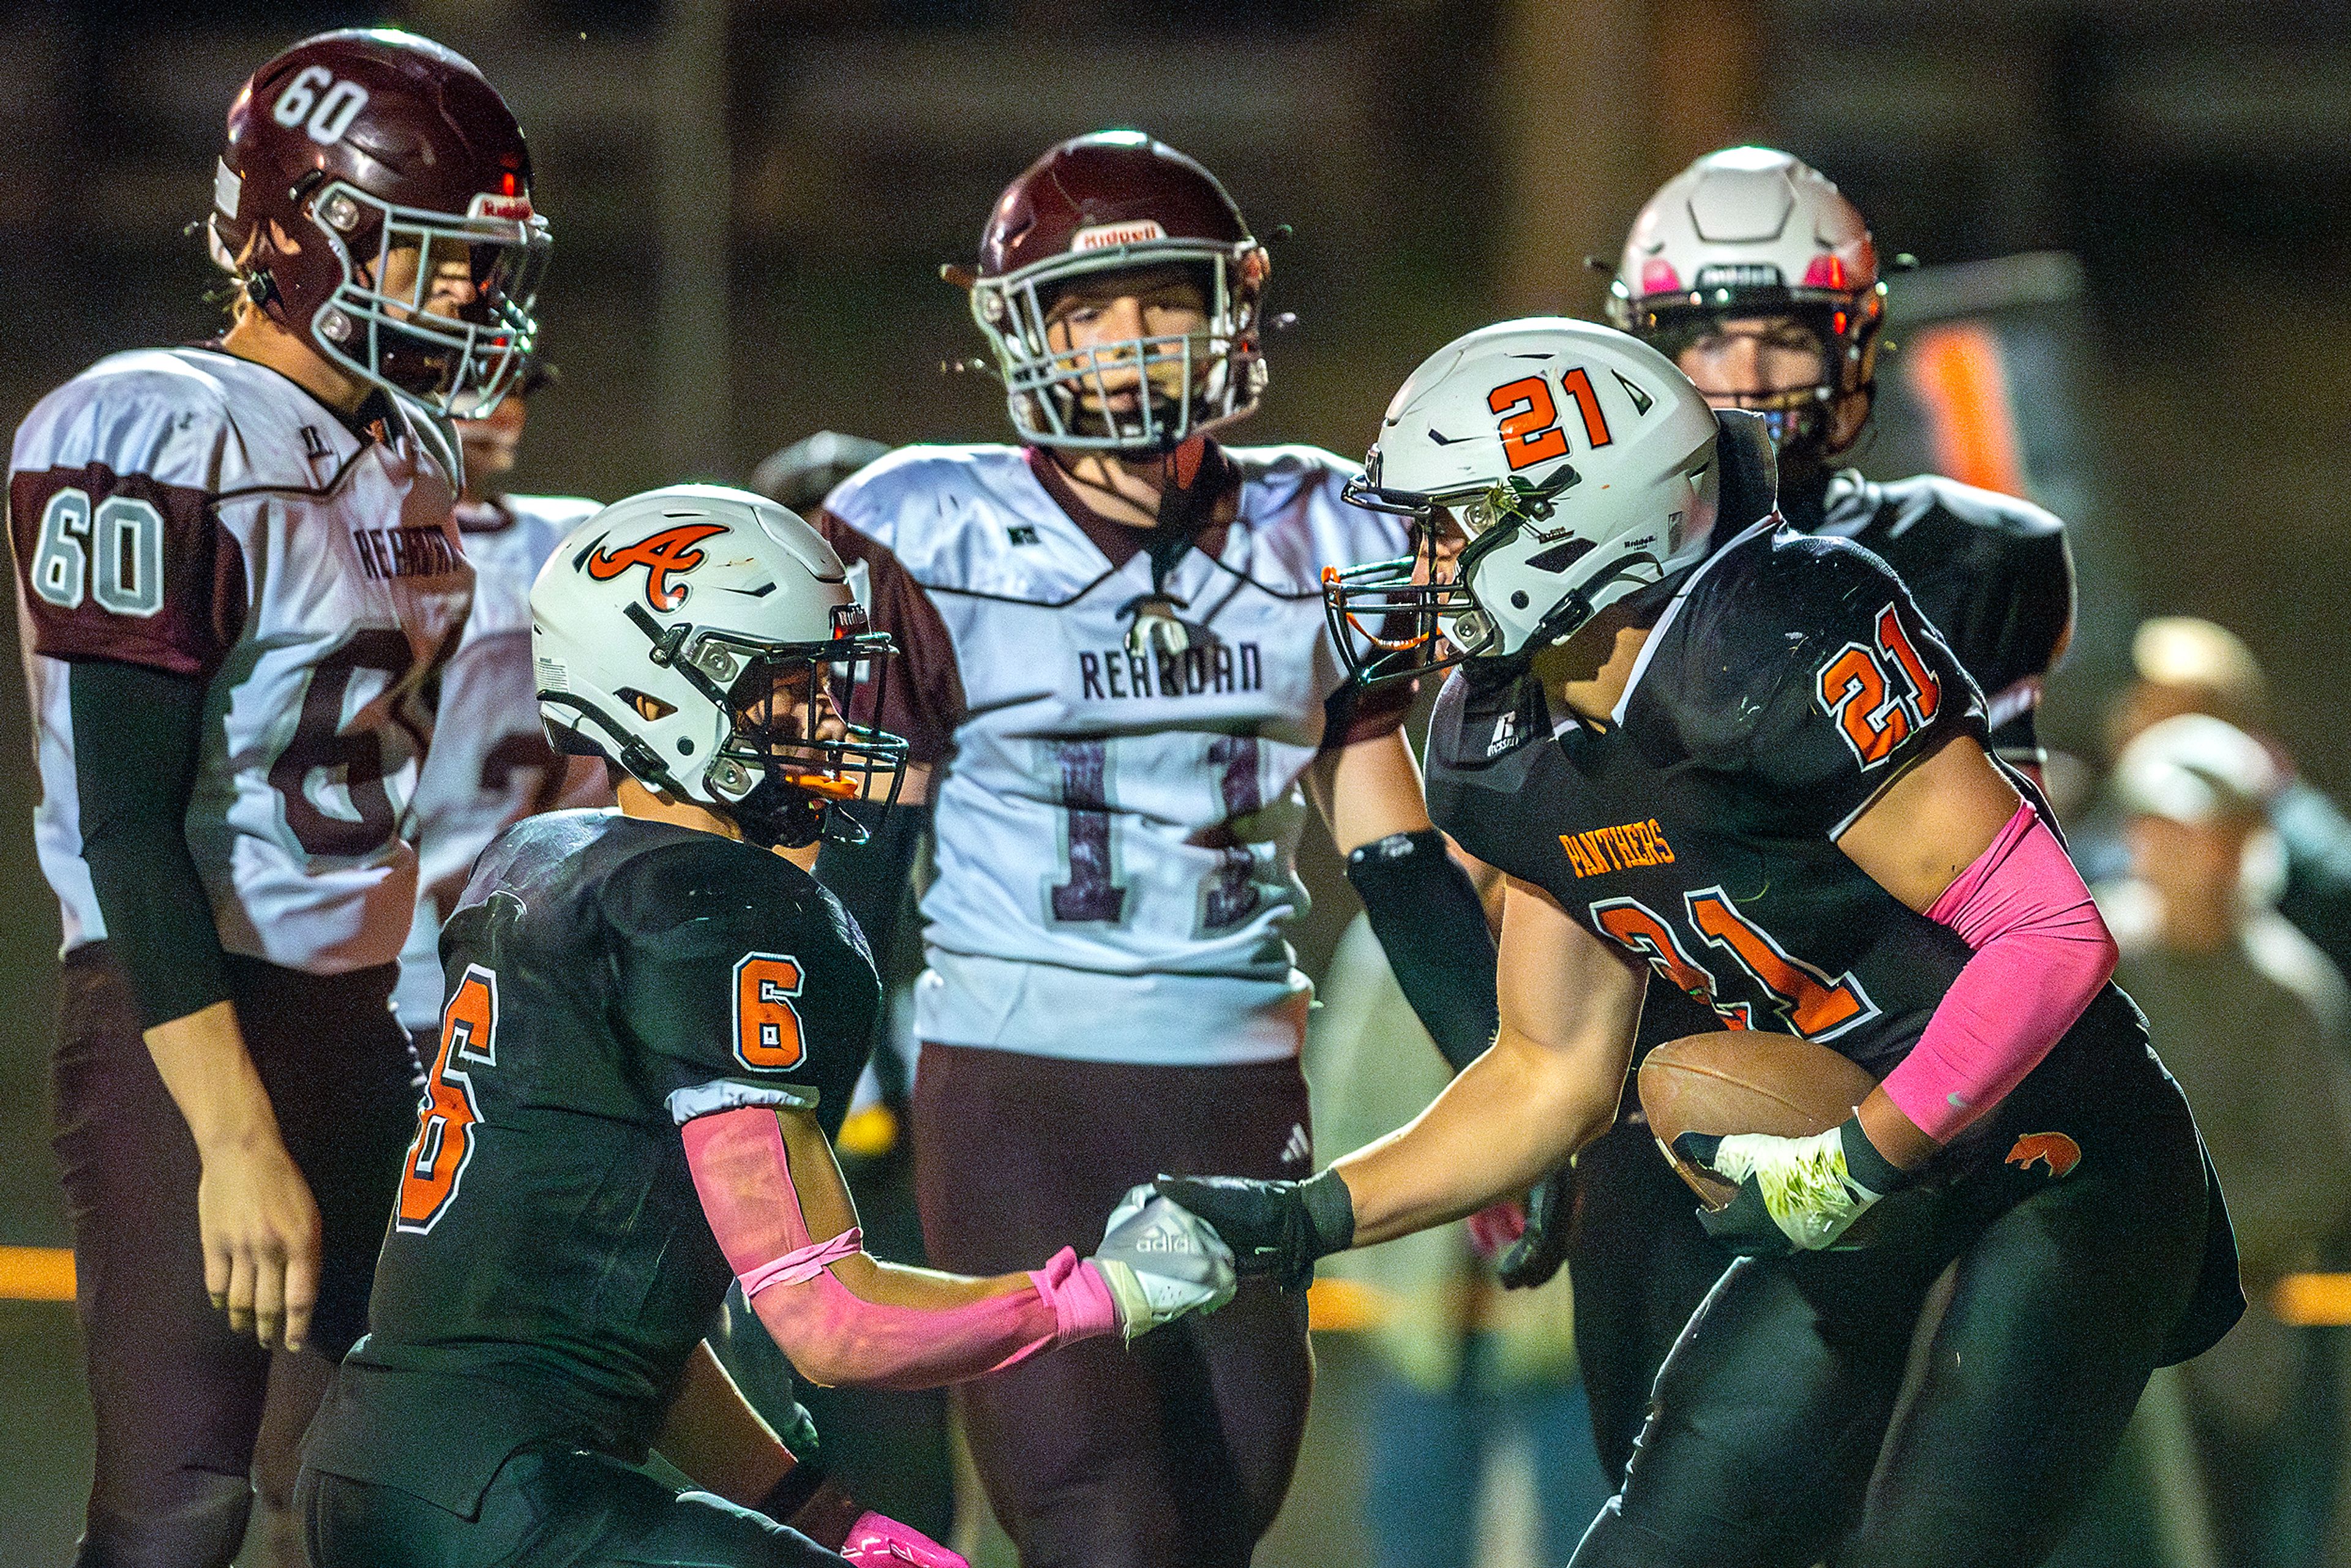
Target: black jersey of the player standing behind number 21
[{"x": 1990, "y": 572}]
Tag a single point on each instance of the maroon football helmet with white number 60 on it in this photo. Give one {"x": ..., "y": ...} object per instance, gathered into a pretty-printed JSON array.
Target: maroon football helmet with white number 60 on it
[{"x": 361, "y": 145}]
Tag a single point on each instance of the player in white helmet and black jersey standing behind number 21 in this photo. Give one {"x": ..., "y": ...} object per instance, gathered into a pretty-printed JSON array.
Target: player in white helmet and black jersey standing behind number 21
[{"x": 1762, "y": 283}]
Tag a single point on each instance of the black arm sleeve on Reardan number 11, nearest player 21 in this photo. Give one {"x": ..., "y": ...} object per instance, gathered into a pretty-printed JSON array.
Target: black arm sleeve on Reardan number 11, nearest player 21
[{"x": 1428, "y": 918}]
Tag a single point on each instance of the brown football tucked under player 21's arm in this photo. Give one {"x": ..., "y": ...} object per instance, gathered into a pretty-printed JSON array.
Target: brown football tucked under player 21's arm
[{"x": 1743, "y": 1083}]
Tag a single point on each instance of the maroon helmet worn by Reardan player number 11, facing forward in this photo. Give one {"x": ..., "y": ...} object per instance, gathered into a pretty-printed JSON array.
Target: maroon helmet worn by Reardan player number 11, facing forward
[{"x": 1116, "y": 203}]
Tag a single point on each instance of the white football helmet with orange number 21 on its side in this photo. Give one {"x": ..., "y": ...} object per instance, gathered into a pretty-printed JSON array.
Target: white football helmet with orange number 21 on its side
[{"x": 1579, "y": 462}]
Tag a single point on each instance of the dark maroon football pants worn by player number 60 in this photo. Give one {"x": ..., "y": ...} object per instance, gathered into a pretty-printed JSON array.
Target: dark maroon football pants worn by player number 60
[{"x": 192, "y": 1416}]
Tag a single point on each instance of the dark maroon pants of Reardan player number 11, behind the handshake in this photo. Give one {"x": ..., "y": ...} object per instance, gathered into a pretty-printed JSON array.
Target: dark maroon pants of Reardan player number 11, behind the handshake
[{"x": 1179, "y": 1449}]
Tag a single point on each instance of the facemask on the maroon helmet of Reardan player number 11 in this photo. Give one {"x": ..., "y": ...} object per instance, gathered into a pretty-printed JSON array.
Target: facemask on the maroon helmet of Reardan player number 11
[{"x": 1186, "y": 382}]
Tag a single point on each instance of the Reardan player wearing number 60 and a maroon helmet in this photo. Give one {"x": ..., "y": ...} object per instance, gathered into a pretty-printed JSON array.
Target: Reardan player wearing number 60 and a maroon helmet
[{"x": 236, "y": 575}]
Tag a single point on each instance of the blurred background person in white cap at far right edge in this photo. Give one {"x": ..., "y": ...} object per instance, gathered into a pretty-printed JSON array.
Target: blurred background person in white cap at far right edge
[{"x": 2253, "y": 1019}]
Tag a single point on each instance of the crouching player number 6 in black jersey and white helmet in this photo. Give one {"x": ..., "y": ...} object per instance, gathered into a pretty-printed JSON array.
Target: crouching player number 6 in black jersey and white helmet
[{"x": 652, "y": 1026}]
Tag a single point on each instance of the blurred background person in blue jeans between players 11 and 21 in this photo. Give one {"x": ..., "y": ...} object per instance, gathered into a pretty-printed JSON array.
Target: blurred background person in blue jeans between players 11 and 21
[{"x": 1468, "y": 1374}]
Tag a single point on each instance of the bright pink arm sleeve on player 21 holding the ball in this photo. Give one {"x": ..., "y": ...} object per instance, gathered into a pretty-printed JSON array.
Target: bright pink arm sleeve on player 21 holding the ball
[{"x": 2042, "y": 953}]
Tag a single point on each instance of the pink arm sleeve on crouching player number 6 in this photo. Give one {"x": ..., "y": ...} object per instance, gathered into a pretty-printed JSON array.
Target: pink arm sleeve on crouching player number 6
[{"x": 829, "y": 1332}]
